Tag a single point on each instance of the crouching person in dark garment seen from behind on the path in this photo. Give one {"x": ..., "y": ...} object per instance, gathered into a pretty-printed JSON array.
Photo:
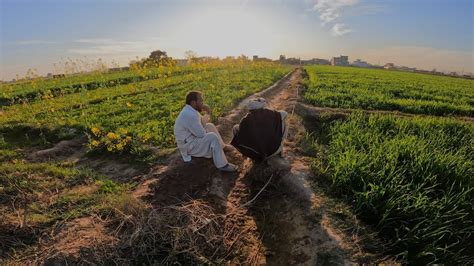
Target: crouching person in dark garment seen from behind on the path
[{"x": 260, "y": 134}]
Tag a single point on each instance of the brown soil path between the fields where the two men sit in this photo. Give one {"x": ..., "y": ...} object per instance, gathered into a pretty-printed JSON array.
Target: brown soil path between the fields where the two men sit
[{"x": 287, "y": 223}]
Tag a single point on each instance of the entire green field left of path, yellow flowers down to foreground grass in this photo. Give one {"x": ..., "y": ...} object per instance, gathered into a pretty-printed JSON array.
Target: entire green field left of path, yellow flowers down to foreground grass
[{"x": 120, "y": 113}]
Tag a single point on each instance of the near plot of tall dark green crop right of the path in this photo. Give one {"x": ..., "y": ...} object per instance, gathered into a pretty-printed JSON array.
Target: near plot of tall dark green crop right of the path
[{"x": 411, "y": 179}]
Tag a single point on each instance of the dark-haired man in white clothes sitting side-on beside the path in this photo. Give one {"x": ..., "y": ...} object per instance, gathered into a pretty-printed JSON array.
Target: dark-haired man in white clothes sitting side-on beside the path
[{"x": 196, "y": 137}]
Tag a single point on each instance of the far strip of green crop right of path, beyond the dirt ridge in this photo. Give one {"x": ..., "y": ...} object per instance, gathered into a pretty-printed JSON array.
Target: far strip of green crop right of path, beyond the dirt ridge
[{"x": 374, "y": 89}]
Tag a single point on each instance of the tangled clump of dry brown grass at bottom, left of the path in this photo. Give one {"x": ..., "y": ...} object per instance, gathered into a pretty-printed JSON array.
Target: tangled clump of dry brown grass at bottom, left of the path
[{"x": 189, "y": 232}]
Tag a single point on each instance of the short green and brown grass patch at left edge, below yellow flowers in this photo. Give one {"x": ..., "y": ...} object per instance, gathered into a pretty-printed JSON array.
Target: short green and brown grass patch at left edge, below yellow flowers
[{"x": 38, "y": 195}]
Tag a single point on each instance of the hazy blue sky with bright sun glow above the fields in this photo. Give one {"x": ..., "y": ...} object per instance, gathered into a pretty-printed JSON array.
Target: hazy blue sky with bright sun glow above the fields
[{"x": 44, "y": 34}]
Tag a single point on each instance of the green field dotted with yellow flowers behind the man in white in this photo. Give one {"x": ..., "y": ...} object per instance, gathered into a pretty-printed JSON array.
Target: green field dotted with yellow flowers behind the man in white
[{"x": 116, "y": 116}]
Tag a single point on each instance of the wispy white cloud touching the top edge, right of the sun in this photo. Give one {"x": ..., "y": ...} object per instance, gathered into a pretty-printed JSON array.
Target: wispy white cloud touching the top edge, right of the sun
[{"x": 330, "y": 10}]
